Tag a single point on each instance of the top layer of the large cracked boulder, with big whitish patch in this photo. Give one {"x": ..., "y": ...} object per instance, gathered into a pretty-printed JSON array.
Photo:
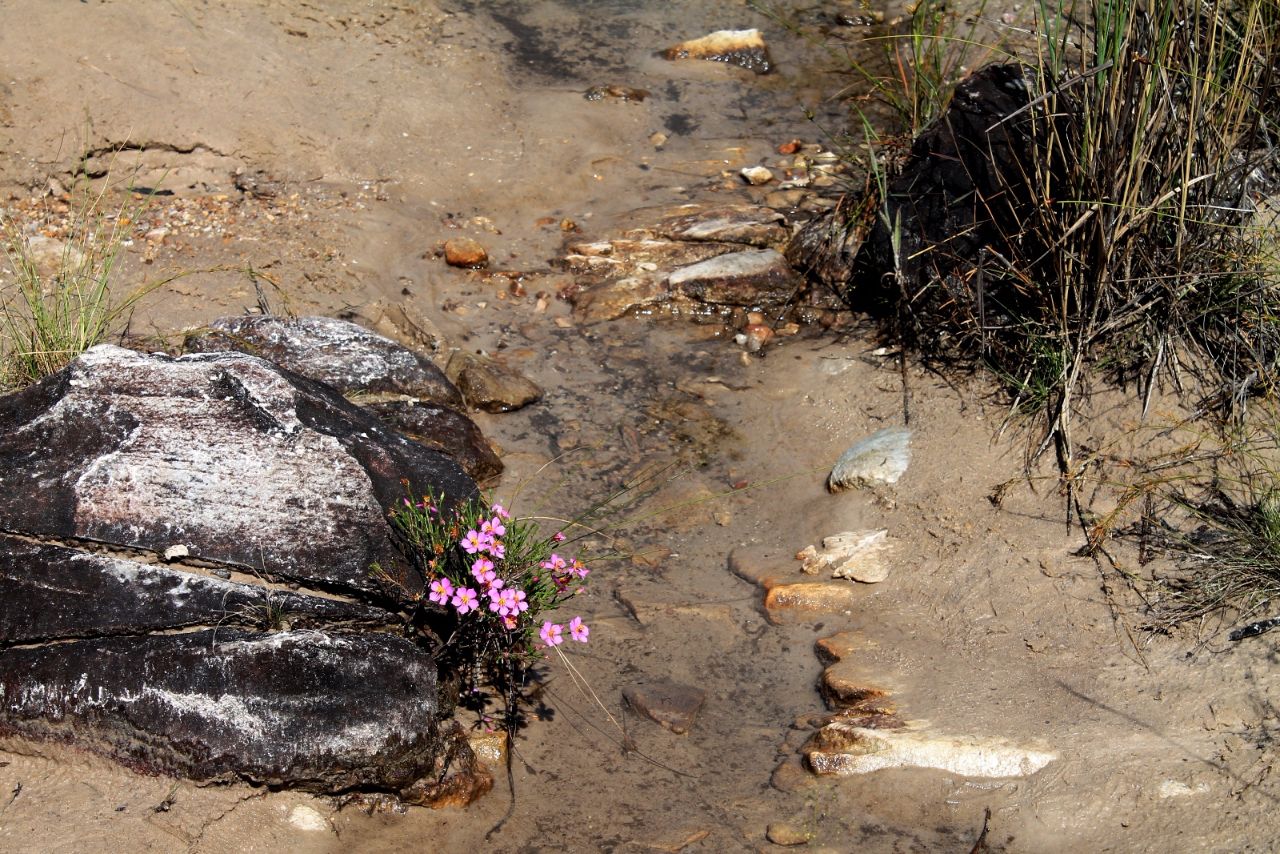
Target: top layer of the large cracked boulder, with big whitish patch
[{"x": 220, "y": 453}]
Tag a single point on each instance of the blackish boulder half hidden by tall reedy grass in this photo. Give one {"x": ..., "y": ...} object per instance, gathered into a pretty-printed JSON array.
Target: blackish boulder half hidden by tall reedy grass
[{"x": 962, "y": 193}]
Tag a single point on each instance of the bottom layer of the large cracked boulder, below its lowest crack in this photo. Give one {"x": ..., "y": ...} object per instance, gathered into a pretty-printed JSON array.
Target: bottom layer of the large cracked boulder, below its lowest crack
[{"x": 307, "y": 709}]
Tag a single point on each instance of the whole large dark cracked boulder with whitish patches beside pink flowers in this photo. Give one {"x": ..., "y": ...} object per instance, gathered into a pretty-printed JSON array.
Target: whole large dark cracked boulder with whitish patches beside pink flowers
[{"x": 244, "y": 477}]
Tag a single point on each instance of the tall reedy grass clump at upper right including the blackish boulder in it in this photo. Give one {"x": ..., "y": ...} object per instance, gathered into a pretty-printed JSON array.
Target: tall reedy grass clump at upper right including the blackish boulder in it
[{"x": 1092, "y": 208}]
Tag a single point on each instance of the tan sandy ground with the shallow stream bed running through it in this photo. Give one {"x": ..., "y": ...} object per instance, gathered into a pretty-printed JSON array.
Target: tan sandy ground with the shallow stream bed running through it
[{"x": 369, "y": 134}]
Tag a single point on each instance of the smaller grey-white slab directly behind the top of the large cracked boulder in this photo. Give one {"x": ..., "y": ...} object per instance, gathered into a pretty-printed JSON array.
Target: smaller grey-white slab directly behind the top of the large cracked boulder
[{"x": 337, "y": 353}]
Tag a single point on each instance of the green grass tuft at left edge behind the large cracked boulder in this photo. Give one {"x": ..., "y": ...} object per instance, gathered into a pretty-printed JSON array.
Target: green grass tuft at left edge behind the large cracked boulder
[{"x": 58, "y": 305}]
